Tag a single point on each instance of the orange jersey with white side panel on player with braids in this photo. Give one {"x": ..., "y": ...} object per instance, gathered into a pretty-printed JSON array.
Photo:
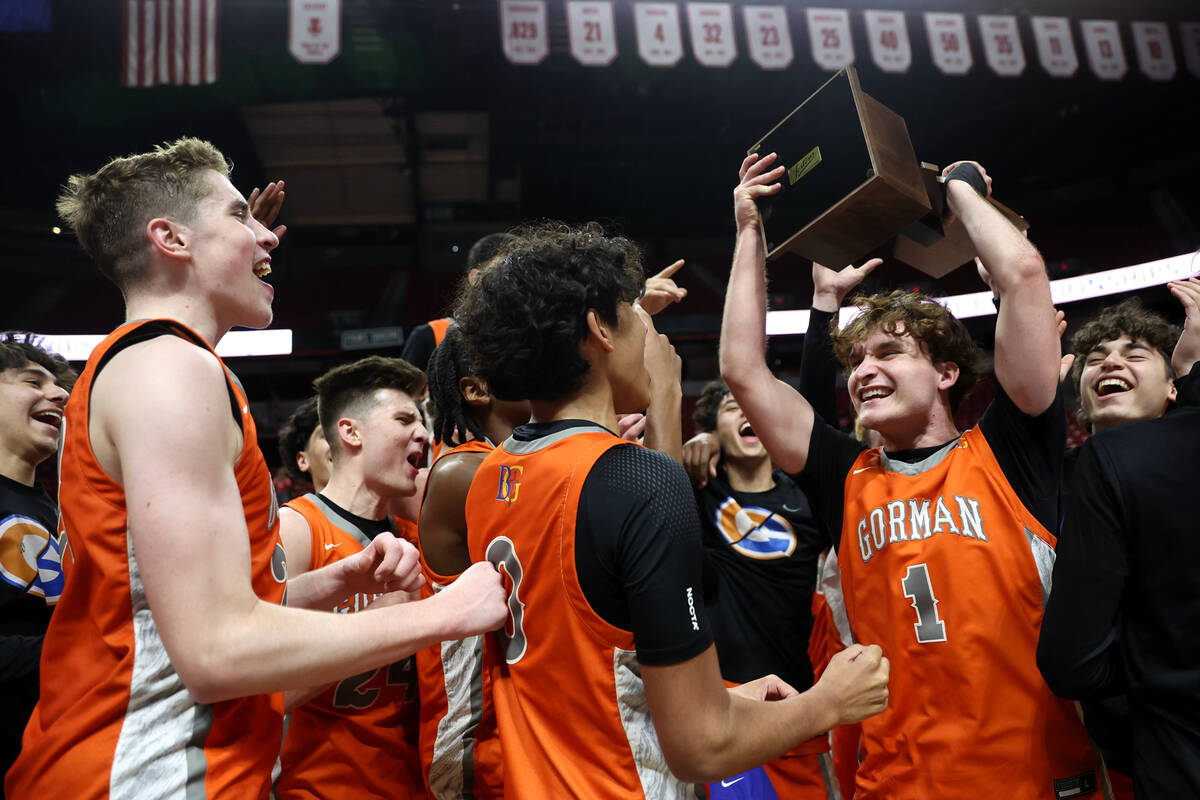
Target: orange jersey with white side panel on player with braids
[{"x": 460, "y": 749}]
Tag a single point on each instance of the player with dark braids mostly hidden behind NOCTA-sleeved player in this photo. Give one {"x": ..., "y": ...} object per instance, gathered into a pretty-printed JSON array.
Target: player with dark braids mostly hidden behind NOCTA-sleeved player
[{"x": 460, "y": 750}]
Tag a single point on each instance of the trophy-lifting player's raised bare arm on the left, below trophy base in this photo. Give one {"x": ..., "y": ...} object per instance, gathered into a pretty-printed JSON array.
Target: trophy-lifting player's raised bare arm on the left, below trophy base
[{"x": 781, "y": 416}]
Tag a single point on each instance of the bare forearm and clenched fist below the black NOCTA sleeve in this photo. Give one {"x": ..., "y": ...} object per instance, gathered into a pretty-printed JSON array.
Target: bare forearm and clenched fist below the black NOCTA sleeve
[{"x": 710, "y": 732}]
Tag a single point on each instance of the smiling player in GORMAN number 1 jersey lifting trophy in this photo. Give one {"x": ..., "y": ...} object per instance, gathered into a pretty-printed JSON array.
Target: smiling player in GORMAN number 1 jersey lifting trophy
[{"x": 950, "y": 532}]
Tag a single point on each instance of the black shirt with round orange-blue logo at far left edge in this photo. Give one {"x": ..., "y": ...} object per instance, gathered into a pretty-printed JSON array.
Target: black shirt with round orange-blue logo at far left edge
[{"x": 27, "y": 514}]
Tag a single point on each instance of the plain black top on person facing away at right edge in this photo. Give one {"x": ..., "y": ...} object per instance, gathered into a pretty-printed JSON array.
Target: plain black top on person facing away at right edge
[{"x": 1125, "y": 609}]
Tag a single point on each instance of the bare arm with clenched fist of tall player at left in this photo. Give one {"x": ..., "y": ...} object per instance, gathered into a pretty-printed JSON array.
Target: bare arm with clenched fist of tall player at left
[{"x": 189, "y": 533}]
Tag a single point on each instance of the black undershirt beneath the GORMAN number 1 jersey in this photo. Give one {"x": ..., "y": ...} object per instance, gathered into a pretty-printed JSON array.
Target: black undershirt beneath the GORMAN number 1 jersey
[{"x": 1029, "y": 450}]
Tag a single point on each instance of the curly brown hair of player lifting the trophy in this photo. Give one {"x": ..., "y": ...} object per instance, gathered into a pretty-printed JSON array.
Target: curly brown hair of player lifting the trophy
[{"x": 923, "y": 318}]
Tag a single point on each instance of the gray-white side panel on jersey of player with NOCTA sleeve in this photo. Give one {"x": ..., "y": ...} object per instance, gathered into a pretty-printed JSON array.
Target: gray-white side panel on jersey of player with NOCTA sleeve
[{"x": 656, "y": 777}]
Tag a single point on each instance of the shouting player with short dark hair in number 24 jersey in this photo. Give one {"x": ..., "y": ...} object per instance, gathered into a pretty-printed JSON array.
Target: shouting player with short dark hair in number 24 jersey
[{"x": 361, "y": 732}]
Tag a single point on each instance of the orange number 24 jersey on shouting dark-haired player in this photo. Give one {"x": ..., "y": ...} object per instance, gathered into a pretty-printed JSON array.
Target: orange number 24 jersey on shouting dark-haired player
[{"x": 359, "y": 737}]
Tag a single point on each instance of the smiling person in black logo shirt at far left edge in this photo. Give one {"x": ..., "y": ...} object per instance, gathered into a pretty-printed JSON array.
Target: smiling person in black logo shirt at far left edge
[{"x": 34, "y": 387}]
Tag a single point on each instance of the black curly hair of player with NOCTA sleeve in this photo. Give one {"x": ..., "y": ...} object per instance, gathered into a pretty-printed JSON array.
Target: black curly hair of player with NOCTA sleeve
[{"x": 526, "y": 317}]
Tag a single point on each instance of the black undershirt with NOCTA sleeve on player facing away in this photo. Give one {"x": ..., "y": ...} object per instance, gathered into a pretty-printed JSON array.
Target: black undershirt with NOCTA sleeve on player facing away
[{"x": 638, "y": 548}]
